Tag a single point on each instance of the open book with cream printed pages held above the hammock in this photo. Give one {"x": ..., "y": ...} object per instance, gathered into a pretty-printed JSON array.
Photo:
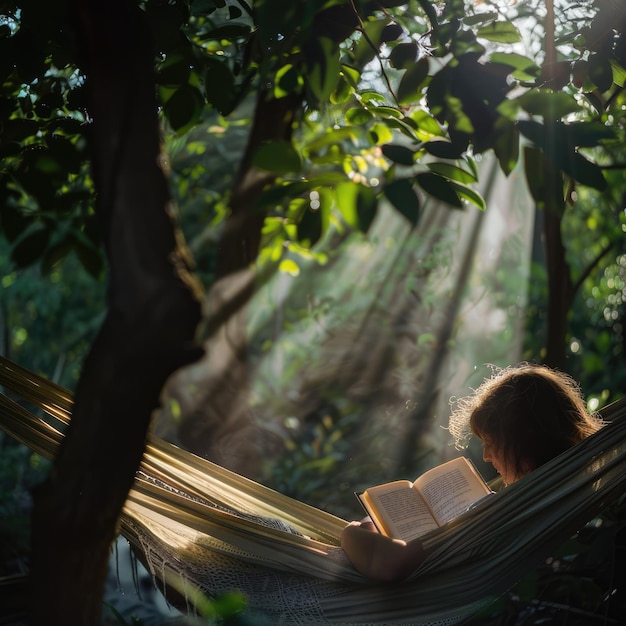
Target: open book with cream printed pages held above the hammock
[{"x": 405, "y": 510}]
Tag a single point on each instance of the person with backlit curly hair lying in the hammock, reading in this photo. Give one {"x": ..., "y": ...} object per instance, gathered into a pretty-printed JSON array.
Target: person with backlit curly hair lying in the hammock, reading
[{"x": 524, "y": 415}]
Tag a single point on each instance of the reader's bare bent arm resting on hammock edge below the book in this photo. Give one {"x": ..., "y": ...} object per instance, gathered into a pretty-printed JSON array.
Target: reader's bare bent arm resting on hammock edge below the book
[{"x": 379, "y": 557}]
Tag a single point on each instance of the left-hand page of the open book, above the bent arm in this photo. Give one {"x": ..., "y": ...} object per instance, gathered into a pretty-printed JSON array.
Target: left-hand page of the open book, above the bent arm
[{"x": 398, "y": 510}]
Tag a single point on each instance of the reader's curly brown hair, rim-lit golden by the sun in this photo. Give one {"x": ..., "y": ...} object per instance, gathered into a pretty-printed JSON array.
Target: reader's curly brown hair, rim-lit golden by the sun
[{"x": 531, "y": 413}]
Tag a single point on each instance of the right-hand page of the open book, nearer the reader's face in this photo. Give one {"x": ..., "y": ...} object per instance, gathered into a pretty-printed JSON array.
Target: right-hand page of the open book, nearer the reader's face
[{"x": 450, "y": 489}]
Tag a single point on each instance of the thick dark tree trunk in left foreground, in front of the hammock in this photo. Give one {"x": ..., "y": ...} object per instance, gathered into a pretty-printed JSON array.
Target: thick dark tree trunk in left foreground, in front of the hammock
[{"x": 153, "y": 311}]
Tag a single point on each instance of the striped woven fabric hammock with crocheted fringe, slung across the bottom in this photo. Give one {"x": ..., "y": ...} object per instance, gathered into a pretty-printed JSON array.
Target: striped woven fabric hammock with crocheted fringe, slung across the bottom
[{"x": 199, "y": 527}]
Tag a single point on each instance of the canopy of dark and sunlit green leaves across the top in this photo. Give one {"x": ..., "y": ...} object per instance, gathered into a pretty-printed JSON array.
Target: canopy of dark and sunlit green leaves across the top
[{"x": 389, "y": 102}]
